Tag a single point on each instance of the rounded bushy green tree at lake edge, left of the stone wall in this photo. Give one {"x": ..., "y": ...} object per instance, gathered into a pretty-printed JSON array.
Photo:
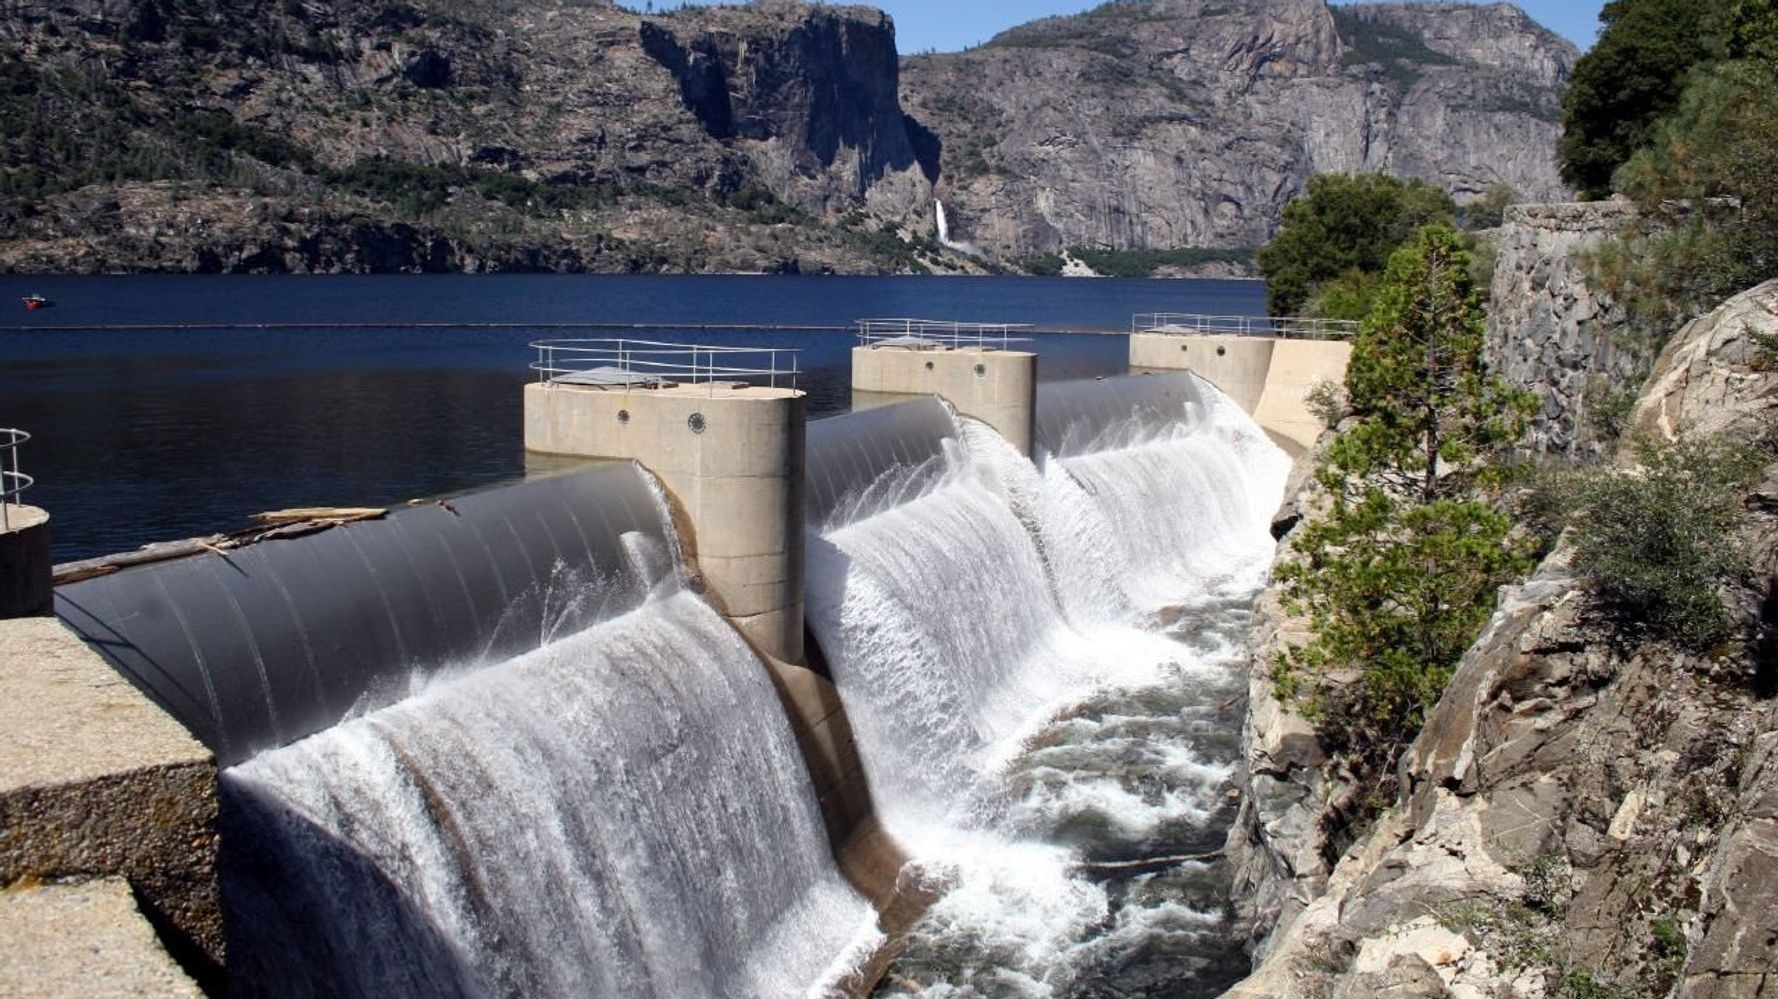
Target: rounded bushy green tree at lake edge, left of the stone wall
[{"x": 1343, "y": 223}]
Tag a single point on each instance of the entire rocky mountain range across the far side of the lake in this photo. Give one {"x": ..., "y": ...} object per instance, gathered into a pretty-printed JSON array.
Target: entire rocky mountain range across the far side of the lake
[{"x": 280, "y": 136}]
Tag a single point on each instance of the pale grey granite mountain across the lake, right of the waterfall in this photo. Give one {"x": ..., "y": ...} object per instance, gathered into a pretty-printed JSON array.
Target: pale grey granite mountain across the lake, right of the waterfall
[{"x": 1174, "y": 124}]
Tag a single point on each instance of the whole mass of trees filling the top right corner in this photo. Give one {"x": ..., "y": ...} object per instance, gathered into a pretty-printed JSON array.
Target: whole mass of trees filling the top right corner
[{"x": 1697, "y": 150}]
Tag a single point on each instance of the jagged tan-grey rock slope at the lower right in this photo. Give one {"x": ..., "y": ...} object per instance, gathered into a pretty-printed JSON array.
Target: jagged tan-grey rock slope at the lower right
[{"x": 1583, "y": 815}]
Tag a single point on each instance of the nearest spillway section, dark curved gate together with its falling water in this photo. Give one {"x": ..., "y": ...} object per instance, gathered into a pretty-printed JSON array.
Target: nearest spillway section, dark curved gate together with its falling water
[{"x": 490, "y": 747}]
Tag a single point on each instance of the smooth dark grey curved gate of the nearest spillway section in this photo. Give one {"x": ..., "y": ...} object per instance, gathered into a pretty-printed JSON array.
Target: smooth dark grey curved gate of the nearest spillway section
[{"x": 278, "y": 641}]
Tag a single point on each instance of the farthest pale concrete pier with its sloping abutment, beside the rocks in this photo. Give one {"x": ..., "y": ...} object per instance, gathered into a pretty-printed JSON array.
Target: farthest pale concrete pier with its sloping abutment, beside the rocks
[{"x": 1267, "y": 378}]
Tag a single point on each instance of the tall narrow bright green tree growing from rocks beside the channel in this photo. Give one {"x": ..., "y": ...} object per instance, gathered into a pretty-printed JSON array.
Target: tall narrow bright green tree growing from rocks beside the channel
[{"x": 1398, "y": 573}]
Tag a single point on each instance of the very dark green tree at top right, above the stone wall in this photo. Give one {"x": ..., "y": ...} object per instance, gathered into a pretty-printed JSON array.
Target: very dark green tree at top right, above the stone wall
[{"x": 1631, "y": 77}]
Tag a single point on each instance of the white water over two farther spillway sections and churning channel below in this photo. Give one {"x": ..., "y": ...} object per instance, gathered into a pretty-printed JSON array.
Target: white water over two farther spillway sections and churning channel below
[{"x": 1041, "y": 662}]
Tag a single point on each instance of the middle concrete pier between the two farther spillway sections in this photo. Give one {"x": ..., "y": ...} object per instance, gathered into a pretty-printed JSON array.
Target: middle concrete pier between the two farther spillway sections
[{"x": 993, "y": 387}]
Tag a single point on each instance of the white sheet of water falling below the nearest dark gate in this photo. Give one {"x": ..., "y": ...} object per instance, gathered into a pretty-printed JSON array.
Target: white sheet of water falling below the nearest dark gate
[{"x": 620, "y": 813}]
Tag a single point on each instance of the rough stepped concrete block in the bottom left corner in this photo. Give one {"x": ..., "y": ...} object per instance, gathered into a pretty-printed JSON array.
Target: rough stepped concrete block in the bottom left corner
[{"x": 99, "y": 783}]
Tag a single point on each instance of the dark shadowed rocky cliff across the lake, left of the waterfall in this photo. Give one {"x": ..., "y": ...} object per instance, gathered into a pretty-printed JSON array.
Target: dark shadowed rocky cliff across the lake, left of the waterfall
[{"x": 447, "y": 134}]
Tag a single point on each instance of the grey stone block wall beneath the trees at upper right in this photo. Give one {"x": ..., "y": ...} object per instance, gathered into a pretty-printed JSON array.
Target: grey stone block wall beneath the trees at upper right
[{"x": 1553, "y": 333}]
